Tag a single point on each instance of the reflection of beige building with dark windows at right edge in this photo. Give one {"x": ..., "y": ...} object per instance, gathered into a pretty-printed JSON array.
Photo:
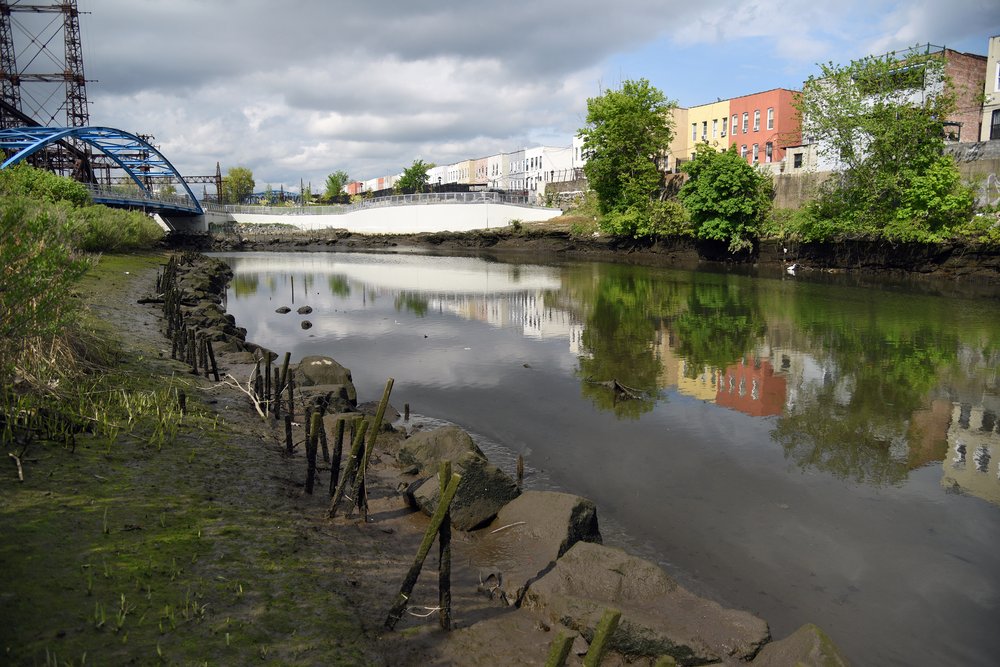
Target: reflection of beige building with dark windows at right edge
[{"x": 973, "y": 461}]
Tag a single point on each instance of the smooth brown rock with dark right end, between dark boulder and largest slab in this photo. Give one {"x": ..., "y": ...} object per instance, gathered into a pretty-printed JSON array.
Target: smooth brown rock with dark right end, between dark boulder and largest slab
[{"x": 529, "y": 533}]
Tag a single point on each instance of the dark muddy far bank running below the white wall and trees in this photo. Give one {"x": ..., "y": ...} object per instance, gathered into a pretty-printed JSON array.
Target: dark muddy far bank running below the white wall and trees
[{"x": 971, "y": 266}]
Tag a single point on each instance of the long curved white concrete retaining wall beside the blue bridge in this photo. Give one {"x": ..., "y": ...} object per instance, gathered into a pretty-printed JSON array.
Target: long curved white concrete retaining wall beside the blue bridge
[{"x": 411, "y": 219}]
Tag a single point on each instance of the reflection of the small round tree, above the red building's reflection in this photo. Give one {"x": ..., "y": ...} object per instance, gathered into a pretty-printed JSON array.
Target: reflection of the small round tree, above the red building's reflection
[{"x": 722, "y": 324}]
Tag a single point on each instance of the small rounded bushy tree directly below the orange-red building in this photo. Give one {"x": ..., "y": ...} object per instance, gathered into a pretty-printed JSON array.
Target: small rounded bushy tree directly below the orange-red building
[{"x": 727, "y": 198}]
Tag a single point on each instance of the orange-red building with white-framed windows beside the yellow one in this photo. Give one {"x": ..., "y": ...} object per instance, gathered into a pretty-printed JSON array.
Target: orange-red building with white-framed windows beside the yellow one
[{"x": 762, "y": 125}]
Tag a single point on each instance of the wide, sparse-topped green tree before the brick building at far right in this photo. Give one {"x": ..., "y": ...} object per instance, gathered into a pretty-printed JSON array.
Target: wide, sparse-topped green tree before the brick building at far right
[{"x": 880, "y": 119}]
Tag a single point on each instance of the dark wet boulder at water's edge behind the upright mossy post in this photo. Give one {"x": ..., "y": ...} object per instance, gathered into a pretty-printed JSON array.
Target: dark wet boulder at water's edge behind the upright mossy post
[{"x": 484, "y": 489}]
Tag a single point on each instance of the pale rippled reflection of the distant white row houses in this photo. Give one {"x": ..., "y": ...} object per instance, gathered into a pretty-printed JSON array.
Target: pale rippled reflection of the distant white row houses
[{"x": 525, "y": 310}]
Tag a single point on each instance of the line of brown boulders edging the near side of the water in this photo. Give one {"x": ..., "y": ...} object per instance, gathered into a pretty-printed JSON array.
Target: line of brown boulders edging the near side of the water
[{"x": 535, "y": 559}]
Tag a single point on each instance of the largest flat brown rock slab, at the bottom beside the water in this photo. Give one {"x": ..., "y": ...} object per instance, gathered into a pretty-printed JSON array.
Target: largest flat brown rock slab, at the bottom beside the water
[{"x": 659, "y": 617}]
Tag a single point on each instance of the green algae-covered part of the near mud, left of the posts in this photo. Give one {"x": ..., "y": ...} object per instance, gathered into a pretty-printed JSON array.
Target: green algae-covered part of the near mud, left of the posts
[{"x": 174, "y": 548}]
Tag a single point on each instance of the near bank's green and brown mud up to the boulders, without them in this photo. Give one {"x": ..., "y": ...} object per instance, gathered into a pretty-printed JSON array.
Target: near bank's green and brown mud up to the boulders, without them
[{"x": 229, "y": 560}]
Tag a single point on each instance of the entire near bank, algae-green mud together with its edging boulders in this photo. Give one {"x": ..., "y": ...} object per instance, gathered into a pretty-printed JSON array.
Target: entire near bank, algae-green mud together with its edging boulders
[{"x": 181, "y": 532}]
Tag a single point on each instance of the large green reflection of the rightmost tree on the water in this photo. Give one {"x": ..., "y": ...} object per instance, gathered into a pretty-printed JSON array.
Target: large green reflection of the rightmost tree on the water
[{"x": 848, "y": 426}]
